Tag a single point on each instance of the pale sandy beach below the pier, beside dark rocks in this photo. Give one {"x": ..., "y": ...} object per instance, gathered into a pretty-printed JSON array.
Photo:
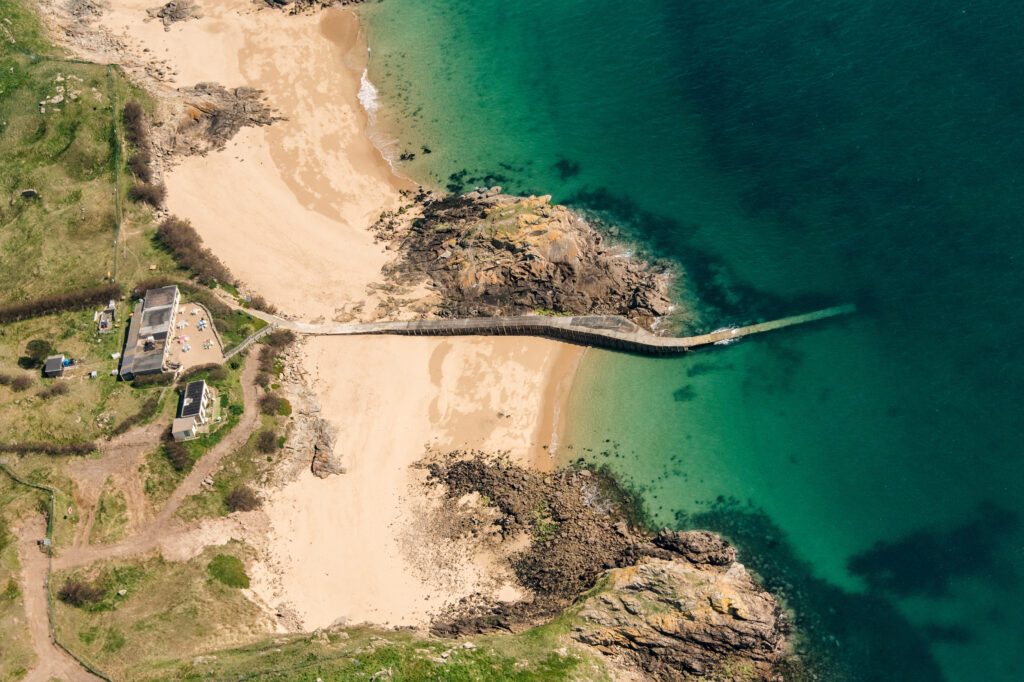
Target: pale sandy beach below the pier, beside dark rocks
[{"x": 351, "y": 547}]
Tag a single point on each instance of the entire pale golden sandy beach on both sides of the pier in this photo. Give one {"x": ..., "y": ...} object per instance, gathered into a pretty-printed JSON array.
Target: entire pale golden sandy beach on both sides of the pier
[{"x": 288, "y": 207}]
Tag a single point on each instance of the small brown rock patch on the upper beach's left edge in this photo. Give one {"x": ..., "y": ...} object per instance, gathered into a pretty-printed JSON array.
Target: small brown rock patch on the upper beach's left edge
[{"x": 211, "y": 115}]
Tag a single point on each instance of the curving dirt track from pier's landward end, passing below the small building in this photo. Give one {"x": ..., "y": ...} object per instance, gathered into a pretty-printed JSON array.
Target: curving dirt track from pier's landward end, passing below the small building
[{"x": 149, "y": 536}]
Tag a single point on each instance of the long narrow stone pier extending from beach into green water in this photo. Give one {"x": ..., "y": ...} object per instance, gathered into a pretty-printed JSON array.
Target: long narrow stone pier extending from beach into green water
[{"x": 613, "y": 332}]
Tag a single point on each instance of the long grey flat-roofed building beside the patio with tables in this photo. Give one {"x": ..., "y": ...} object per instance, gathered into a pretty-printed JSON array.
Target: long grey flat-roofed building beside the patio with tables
[{"x": 146, "y": 349}]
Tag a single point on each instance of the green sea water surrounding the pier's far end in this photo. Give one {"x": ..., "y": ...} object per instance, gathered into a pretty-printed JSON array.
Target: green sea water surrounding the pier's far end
[{"x": 783, "y": 155}]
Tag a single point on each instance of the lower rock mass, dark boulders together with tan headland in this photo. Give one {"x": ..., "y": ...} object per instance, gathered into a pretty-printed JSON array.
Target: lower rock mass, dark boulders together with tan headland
[{"x": 676, "y": 607}]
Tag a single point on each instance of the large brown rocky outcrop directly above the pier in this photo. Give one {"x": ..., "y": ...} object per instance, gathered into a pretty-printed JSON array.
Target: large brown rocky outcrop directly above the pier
[{"x": 489, "y": 254}]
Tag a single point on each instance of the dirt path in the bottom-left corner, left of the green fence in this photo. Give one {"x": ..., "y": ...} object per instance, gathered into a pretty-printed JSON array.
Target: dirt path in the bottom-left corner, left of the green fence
[{"x": 53, "y": 662}]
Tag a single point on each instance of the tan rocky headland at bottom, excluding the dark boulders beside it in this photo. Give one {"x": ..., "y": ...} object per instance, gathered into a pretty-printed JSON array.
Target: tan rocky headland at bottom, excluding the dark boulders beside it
[{"x": 678, "y": 621}]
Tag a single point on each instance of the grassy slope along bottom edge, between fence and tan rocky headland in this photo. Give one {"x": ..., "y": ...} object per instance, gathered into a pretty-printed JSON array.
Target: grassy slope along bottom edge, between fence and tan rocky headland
[{"x": 184, "y": 621}]
